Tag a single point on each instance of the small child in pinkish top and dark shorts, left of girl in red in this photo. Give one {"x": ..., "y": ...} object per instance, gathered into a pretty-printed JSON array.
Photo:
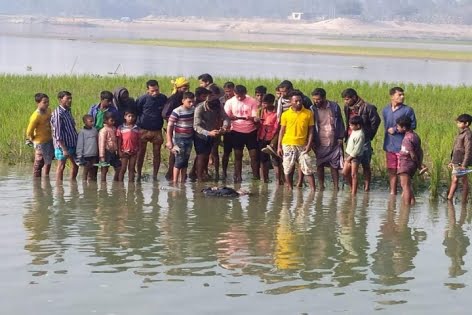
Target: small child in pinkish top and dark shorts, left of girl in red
[{"x": 108, "y": 148}]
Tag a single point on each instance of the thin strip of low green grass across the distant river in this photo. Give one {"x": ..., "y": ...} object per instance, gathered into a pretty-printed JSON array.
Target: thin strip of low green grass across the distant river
[{"x": 306, "y": 48}]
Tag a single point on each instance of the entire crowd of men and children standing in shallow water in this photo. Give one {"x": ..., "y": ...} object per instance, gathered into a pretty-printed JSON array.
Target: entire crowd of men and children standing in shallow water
[{"x": 280, "y": 132}]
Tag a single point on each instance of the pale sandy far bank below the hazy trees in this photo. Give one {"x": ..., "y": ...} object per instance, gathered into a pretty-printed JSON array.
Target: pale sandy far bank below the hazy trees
[{"x": 340, "y": 27}]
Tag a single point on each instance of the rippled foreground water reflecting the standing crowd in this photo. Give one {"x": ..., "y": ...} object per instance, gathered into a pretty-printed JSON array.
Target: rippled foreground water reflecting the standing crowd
[{"x": 143, "y": 249}]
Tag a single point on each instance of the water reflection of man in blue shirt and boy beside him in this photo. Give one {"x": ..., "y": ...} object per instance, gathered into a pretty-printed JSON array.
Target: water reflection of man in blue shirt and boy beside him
[{"x": 396, "y": 248}]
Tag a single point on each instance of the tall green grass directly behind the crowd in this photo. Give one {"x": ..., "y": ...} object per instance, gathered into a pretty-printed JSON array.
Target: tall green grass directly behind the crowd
[{"x": 436, "y": 108}]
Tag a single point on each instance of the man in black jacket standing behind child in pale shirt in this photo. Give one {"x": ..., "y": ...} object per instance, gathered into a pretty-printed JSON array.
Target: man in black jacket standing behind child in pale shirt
[{"x": 356, "y": 106}]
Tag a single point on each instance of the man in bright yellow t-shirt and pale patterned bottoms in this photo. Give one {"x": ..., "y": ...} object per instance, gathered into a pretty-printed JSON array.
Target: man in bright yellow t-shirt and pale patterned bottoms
[{"x": 295, "y": 140}]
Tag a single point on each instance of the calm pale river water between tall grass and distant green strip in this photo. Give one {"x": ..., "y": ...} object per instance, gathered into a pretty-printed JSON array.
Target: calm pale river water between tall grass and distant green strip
[{"x": 23, "y": 55}]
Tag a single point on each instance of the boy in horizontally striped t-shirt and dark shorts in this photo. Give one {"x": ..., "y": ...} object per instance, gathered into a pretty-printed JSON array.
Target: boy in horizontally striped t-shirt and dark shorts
[{"x": 180, "y": 136}]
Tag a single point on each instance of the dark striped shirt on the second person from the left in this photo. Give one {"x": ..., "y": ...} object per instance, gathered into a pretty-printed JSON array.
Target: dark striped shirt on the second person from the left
[{"x": 63, "y": 127}]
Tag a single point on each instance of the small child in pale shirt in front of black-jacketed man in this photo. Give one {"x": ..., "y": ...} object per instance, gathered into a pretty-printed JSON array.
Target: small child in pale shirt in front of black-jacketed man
[{"x": 354, "y": 150}]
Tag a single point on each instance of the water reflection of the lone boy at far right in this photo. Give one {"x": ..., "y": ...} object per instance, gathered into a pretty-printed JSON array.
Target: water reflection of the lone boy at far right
[{"x": 455, "y": 240}]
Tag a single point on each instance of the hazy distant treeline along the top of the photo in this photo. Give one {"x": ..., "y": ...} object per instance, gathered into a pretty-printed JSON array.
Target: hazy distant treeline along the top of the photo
[{"x": 438, "y": 11}]
